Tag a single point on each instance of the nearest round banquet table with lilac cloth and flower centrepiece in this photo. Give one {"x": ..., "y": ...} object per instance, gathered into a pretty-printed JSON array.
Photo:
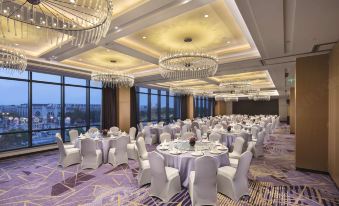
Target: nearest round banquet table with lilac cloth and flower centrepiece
[{"x": 185, "y": 162}]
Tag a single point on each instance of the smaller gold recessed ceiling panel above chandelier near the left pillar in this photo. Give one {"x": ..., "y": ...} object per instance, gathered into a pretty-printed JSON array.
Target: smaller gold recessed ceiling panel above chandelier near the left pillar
[{"x": 108, "y": 60}]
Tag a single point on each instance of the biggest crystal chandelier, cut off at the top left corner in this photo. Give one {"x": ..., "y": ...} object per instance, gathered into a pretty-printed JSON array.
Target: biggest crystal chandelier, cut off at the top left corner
[{"x": 80, "y": 21}]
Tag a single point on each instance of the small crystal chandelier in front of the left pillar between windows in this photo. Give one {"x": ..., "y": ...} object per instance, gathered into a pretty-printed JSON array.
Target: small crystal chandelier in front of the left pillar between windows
[{"x": 113, "y": 79}]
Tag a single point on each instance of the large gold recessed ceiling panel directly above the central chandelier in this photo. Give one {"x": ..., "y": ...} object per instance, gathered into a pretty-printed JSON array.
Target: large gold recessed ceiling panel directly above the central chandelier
[{"x": 211, "y": 27}]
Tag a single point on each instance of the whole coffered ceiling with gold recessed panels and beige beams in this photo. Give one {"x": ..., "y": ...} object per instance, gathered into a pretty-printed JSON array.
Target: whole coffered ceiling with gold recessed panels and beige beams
[{"x": 255, "y": 40}]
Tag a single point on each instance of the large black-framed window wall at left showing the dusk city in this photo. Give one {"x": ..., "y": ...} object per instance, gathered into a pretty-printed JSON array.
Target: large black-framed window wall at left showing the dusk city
[{"x": 35, "y": 106}]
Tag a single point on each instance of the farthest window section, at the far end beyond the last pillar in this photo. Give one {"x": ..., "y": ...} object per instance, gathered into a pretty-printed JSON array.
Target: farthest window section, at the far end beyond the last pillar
[{"x": 203, "y": 106}]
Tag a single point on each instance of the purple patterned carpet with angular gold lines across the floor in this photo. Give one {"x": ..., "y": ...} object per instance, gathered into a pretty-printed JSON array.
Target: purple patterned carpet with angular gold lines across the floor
[{"x": 36, "y": 180}]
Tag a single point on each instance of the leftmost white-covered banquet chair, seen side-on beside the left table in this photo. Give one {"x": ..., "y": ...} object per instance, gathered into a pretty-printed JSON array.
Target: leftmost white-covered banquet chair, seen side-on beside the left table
[{"x": 69, "y": 156}]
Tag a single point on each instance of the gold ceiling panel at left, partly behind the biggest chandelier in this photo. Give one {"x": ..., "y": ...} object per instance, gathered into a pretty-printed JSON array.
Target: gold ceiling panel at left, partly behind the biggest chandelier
[{"x": 35, "y": 42}]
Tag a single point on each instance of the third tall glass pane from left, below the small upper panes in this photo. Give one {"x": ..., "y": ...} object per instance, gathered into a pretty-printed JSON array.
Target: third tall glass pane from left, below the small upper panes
[{"x": 75, "y": 106}]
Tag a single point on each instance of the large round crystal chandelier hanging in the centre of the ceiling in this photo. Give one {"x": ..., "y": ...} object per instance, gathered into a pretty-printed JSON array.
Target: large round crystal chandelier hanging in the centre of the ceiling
[{"x": 188, "y": 64}]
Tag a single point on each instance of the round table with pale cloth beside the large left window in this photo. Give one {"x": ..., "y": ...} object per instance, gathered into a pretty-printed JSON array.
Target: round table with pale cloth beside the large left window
[{"x": 102, "y": 143}]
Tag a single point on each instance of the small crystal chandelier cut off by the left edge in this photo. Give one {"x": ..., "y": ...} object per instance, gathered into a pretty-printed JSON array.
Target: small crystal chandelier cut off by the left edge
[{"x": 12, "y": 59}]
